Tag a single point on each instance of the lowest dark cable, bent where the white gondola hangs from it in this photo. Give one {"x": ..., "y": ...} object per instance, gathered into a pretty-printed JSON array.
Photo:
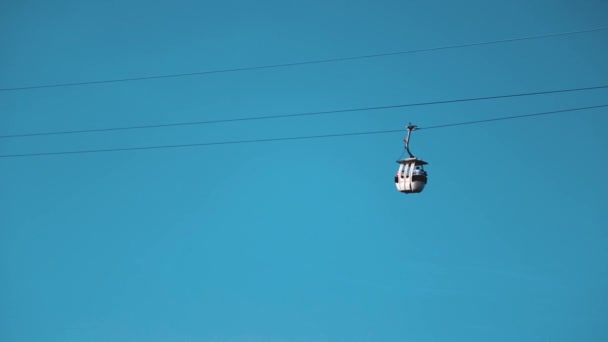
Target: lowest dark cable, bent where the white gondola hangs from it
[{"x": 294, "y": 138}]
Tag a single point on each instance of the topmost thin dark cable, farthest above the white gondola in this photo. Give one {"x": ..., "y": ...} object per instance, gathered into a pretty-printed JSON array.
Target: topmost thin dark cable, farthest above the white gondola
[{"x": 292, "y": 64}]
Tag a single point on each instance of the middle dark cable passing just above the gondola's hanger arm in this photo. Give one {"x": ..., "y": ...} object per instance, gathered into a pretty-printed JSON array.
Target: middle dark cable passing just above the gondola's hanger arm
[{"x": 326, "y": 112}]
